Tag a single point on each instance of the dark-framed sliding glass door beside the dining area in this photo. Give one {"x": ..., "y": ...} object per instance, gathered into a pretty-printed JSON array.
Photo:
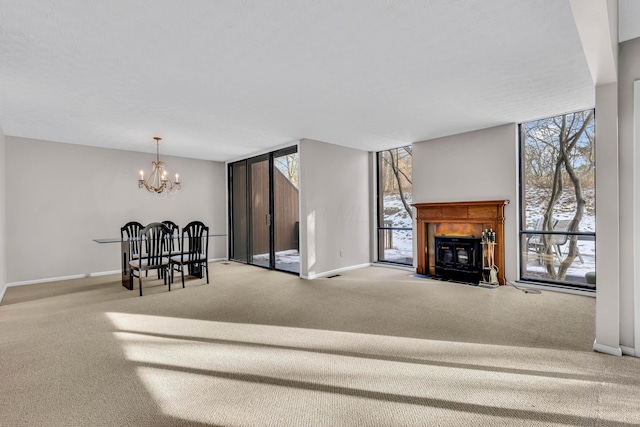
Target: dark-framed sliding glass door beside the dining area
[{"x": 264, "y": 210}]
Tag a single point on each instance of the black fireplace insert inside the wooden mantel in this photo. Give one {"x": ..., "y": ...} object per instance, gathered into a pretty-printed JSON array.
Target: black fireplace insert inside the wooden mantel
[{"x": 458, "y": 258}]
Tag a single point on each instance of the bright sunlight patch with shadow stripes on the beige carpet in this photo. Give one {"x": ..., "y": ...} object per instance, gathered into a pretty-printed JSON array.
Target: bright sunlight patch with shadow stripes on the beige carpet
[{"x": 215, "y": 372}]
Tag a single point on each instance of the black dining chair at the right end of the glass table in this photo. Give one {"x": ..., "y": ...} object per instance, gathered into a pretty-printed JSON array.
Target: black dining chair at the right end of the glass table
[{"x": 195, "y": 251}]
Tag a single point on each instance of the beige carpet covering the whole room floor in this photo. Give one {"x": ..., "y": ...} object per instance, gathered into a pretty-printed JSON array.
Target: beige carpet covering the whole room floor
[{"x": 372, "y": 347}]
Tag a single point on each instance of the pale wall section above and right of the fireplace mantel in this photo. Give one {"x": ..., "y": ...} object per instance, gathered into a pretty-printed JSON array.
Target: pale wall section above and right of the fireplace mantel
[{"x": 479, "y": 165}]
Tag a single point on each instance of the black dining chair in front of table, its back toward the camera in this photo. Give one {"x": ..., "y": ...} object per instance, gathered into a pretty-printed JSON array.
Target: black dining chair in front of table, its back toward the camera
[{"x": 154, "y": 236}]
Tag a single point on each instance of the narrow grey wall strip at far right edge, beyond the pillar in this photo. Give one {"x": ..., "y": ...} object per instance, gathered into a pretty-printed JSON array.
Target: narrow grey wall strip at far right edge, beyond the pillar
[{"x": 629, "y": 70}]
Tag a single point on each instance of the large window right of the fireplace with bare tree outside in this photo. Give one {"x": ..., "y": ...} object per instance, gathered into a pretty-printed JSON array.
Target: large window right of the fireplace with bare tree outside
[{"x": 557, "y": 227}]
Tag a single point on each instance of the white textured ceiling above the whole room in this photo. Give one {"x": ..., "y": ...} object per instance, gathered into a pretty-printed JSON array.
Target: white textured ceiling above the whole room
[{"x": 223, "y": 79}]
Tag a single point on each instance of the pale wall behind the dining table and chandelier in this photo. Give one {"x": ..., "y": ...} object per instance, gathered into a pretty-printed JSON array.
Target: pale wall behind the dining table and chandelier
[{"x": 59, "y": 197}]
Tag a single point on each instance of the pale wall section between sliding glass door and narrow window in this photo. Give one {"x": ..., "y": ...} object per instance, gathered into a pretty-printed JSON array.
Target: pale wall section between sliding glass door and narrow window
[{"x": 334, "y": 208}]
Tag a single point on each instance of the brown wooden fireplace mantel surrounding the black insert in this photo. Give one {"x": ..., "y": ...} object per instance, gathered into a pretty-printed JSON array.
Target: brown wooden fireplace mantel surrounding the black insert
[{"x": 458, "y": 219}]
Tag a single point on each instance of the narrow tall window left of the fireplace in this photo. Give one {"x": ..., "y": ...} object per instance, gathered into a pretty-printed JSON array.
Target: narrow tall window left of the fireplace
[{"x": 395, "y": 236}]
